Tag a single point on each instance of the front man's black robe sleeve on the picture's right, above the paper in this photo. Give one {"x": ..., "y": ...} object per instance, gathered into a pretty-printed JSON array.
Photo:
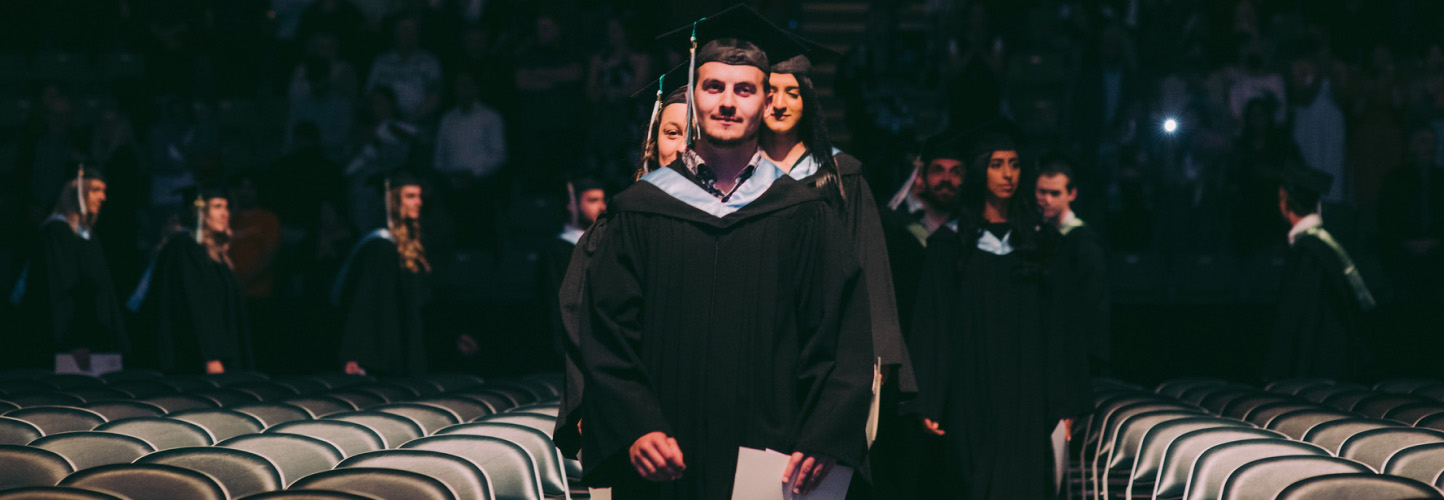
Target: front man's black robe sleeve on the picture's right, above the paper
[{"x": 835, "y": 372}]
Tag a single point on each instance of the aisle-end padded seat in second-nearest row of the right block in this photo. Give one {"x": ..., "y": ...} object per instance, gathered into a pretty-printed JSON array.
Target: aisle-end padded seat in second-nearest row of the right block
[{"x": 1267, "y": 478}]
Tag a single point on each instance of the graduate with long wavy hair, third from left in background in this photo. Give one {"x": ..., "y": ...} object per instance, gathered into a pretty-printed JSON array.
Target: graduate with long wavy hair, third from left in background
[{"x": 382, "y": 290}]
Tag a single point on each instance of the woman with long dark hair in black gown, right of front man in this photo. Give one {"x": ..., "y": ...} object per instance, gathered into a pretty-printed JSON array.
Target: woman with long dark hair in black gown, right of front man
[{"x": 996, "y": 371}]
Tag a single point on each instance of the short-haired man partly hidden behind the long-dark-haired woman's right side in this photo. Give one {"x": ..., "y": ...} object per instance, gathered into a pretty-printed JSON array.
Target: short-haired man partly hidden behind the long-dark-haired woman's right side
[{"x": 1084, "y": 262}]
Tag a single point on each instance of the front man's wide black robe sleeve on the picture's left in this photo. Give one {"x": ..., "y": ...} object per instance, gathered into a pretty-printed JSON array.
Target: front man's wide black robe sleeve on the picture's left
[{"x": 622, "y": 402}]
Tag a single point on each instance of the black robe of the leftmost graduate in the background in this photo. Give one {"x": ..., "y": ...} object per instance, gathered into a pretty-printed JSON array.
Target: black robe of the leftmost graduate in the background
[{"x": 70, "y": 298}]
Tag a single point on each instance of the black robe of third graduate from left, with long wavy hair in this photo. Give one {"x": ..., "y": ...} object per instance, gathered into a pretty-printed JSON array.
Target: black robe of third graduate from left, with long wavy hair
[{"x": 382, "y": 310}]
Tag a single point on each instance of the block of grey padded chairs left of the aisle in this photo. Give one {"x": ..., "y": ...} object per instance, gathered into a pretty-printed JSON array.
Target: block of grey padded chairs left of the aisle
[{"x": 144, "y": 436}]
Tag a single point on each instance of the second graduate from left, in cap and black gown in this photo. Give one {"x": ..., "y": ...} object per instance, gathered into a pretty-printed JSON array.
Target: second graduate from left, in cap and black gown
[{"x": 191, "y": 297}]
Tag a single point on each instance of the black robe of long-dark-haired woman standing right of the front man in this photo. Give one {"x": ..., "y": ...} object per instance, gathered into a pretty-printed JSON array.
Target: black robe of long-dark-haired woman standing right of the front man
[{"x": 994, "y": 369}]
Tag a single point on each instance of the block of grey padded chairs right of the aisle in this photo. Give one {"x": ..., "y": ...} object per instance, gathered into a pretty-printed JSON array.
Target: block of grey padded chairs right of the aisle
[{"x": 1293, "y": 440}]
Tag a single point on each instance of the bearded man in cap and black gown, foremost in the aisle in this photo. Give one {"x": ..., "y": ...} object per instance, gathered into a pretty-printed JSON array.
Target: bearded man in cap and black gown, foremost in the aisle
[{"x": 727, "y": 309}]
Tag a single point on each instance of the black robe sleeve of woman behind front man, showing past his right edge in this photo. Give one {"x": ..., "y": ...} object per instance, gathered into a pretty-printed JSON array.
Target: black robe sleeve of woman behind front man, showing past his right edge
[{"x": 873, "y": 254}]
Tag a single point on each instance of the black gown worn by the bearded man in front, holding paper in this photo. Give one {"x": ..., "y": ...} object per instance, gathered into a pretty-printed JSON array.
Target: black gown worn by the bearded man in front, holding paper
[{"x": 747, "y": 330}]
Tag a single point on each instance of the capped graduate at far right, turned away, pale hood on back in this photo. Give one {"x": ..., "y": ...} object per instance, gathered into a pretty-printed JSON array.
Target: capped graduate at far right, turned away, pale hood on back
[{"x": 1322, "y": 298}]
